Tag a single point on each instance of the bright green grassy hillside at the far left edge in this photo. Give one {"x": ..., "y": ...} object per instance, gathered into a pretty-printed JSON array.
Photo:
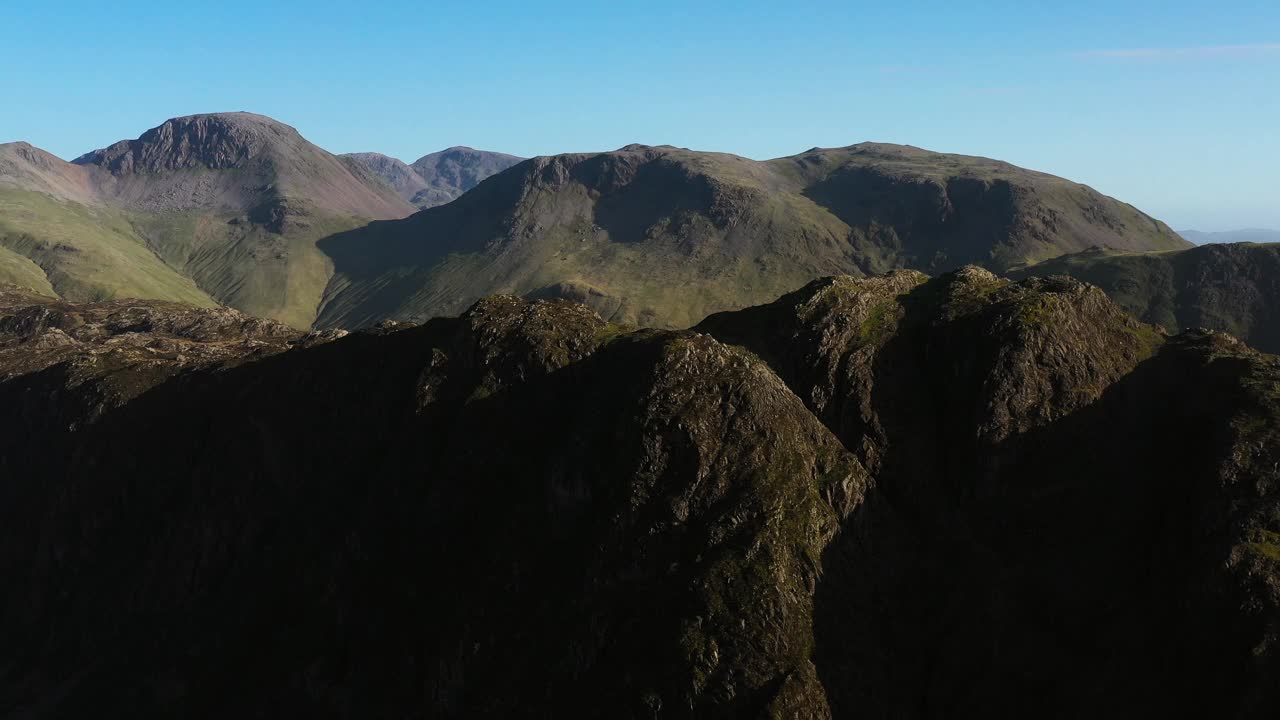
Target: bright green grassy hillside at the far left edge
[{"x": 84, "y": 253}]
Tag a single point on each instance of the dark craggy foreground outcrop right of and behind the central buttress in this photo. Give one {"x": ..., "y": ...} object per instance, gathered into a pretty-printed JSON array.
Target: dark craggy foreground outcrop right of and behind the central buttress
[{"x": 1067, "y": 512}]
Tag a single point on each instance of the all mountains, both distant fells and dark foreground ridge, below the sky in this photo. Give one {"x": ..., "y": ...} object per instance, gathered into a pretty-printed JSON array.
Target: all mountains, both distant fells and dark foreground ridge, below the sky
[{"x": 866, "y": 431}]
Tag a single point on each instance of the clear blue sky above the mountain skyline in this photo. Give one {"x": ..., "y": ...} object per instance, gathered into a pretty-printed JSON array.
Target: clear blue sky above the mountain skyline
[{"x": 1172, "y": 106}]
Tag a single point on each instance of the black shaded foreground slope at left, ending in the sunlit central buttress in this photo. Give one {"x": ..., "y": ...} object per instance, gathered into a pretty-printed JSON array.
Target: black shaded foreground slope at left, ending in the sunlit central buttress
[{"x": 358, "y": 554}]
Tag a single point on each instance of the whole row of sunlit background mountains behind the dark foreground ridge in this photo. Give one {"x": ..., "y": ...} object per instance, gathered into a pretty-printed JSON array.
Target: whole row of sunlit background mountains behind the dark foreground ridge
[{"x": 240, "y": 211}]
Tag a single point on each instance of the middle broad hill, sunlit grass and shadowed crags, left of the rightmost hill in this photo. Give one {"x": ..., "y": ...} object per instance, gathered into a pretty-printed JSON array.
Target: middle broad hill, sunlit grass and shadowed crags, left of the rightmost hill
[{"x": 646, "y": 254}]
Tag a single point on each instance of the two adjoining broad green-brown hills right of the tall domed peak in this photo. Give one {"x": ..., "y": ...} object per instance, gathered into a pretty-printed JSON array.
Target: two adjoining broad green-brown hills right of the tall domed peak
[{"x": 665, "y": 236}]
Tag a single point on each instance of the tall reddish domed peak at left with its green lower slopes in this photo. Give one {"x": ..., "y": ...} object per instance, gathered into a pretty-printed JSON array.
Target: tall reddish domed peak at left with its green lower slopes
[{"x": 220, "y": 209}]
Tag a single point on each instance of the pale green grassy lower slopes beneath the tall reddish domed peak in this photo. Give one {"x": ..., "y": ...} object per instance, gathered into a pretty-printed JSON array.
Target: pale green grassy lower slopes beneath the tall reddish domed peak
[{"x": 199, "y": 258}]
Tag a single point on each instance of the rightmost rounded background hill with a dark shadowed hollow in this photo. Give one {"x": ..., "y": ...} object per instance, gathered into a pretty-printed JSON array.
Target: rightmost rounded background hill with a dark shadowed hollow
[{"x": 909, "y": 208}]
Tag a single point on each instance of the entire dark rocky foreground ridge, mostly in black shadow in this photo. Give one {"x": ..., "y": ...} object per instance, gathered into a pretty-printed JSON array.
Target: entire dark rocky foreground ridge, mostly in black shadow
[{"x": 881, "y": 498}]
